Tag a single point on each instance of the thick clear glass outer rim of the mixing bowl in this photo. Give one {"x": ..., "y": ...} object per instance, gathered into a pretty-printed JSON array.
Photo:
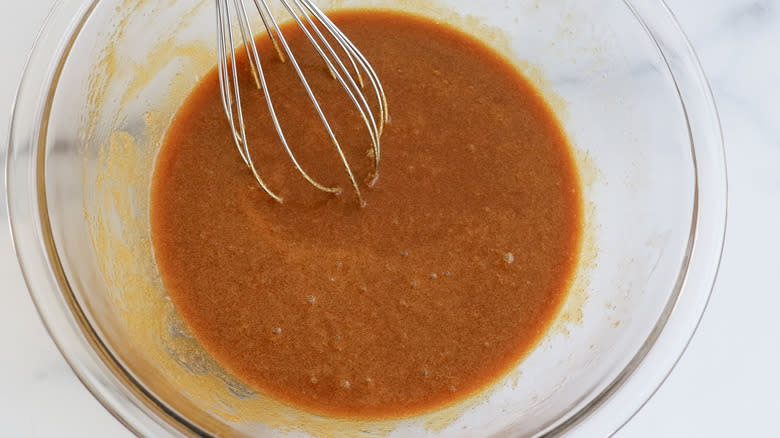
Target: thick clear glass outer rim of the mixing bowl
[{"x": 143, "y": 414}]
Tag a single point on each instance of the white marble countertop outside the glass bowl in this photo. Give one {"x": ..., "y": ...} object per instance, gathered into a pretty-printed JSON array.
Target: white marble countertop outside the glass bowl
[{"x": 726, "y": 385}]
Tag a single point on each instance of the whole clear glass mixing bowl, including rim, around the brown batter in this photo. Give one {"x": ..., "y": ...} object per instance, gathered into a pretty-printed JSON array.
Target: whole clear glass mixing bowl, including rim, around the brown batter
[{"x": 104, "y": 80}]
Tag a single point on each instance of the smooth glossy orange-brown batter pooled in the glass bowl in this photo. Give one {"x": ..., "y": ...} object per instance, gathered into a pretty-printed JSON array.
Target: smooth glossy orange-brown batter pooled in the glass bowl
[{"x": 448, "y": 276}]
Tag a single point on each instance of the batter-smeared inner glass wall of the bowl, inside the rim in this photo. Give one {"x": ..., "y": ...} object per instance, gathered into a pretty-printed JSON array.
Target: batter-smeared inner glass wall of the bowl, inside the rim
[{"x": 131, "y": 64}]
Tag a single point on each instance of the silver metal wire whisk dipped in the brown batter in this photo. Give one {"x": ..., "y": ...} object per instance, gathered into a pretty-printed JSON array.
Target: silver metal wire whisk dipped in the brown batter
[{"x": 320, "y": 32}]
